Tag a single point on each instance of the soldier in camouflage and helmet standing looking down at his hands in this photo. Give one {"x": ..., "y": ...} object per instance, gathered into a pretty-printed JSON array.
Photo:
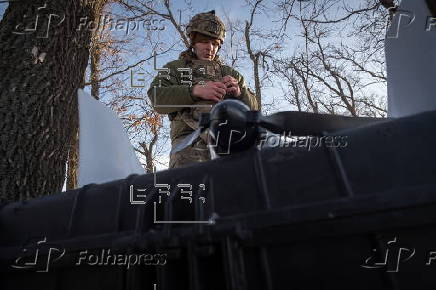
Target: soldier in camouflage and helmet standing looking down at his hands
[{"x": 194, "y": 83}]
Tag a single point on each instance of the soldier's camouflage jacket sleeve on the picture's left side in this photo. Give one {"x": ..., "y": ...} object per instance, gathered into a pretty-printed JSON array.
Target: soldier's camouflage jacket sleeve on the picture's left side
[{"x": 167, "y": 94}]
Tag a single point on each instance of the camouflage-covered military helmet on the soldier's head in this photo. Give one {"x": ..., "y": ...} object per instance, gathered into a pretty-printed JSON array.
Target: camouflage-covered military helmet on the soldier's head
[{"x": 207, "y": 23}]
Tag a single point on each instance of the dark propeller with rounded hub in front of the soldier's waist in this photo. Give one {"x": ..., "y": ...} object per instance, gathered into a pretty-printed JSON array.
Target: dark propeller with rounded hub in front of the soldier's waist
[{"x": 234, "y": 128}]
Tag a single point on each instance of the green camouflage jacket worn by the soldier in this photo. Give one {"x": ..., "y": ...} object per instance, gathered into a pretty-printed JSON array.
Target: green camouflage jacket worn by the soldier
[{"x": 171, "y": 90}]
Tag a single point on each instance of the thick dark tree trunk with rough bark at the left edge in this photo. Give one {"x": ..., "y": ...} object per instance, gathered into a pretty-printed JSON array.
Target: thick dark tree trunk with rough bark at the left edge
[{"x": 42, "y": 68}]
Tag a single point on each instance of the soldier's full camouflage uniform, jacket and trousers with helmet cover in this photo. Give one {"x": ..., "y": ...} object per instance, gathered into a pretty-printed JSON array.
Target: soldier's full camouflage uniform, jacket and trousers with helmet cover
[{"x": 171, "y": 93}]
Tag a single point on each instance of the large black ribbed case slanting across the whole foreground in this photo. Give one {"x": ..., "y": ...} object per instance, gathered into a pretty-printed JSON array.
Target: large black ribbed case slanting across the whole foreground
[{"x": 278, "y": 218}]
